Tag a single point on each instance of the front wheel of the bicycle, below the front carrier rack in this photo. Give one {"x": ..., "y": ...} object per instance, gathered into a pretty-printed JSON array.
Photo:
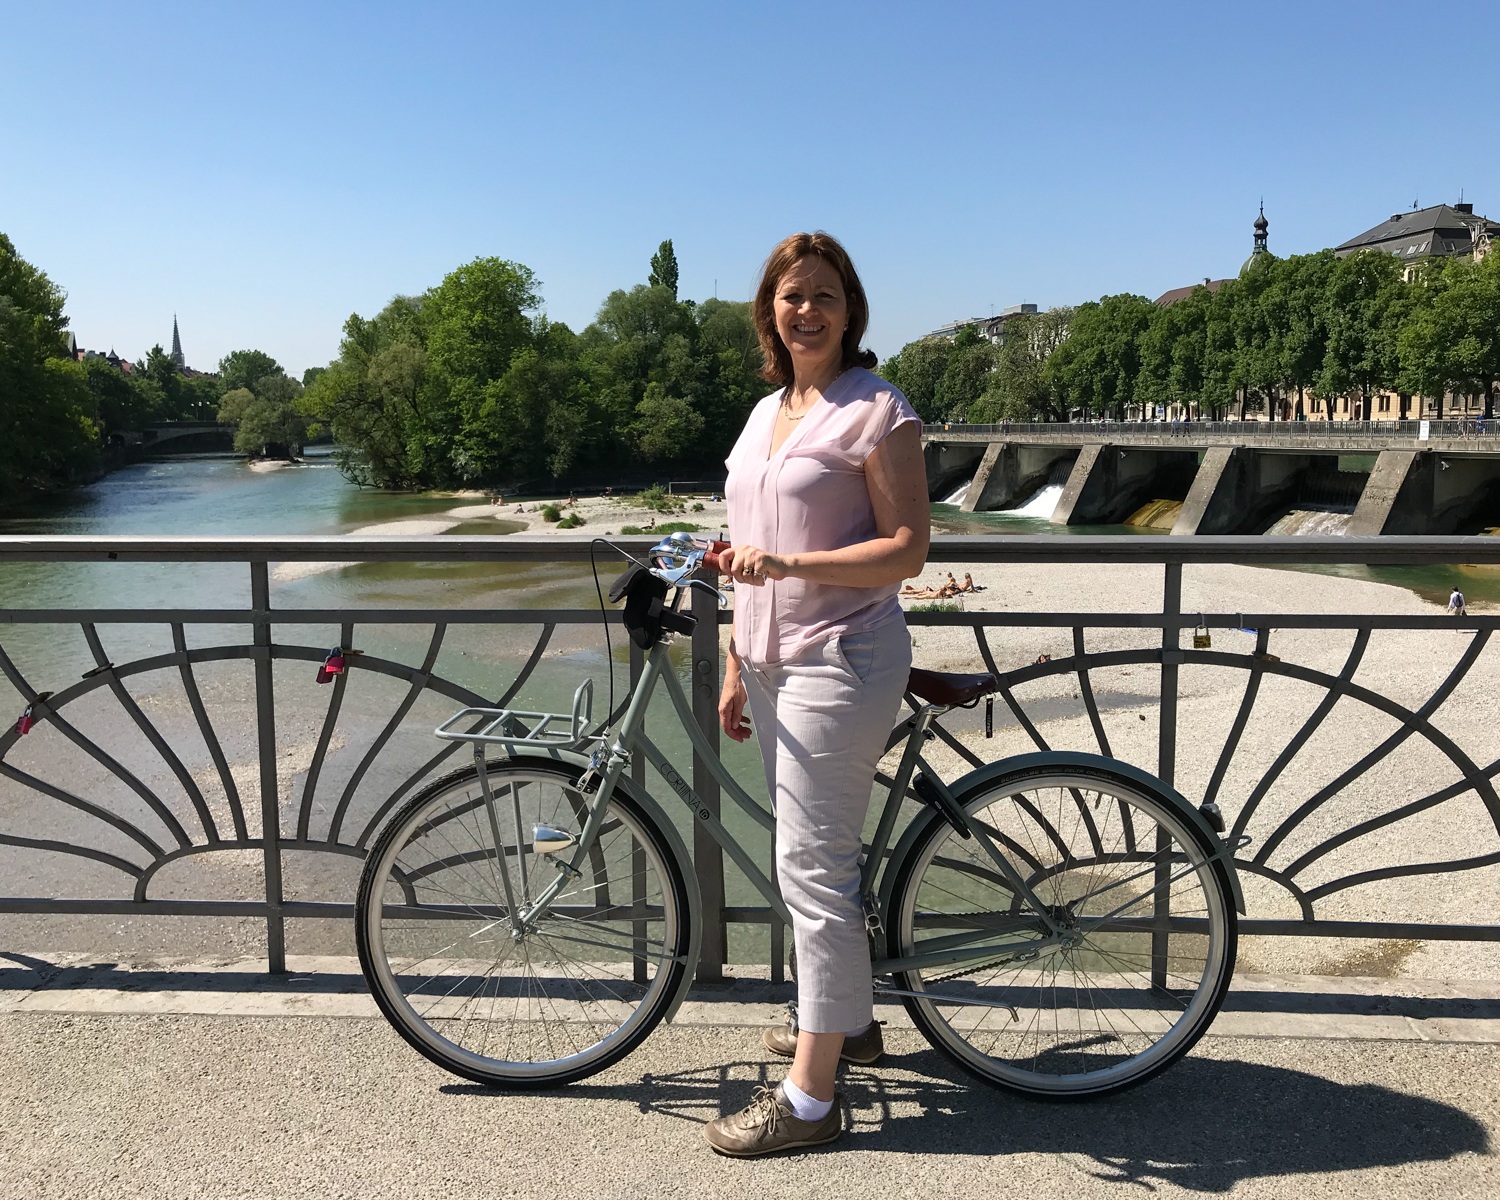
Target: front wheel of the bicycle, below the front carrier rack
[{"x": 497, "y": 1000}]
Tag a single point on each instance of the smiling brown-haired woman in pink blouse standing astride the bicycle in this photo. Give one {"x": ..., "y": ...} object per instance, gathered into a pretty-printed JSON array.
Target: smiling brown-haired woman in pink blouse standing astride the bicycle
[{"x": 827, "y": 517}]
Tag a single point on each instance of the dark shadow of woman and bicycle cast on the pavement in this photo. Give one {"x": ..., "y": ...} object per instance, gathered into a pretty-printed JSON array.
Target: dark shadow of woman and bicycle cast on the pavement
[{"x": 1205, "y": 1126}]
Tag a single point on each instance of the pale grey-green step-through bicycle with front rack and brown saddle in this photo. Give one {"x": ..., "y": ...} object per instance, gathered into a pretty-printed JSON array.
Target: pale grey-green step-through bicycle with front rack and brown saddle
[{"x": 1058, "y": 925}]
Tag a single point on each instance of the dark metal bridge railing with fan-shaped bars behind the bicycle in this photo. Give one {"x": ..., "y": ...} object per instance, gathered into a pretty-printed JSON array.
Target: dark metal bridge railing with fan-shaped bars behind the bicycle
[{"x": 1345, "y": 781}]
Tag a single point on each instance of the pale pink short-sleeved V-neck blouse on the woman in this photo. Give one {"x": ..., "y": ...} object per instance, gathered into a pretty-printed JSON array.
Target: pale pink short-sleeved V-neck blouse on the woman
[{"x": 811, "y": 496}]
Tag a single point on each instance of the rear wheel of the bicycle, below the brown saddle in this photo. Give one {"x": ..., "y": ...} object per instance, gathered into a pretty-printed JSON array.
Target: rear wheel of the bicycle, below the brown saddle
[{"x": 1147, "y": 946}]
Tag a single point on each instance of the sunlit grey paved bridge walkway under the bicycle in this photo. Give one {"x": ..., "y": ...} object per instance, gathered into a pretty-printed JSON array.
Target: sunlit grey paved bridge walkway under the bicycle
[{"x": 149, "y": 1094}]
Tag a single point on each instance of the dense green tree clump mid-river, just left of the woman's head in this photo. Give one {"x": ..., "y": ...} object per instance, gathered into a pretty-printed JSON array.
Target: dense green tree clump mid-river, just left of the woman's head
[{"x": 472, "y": 385}]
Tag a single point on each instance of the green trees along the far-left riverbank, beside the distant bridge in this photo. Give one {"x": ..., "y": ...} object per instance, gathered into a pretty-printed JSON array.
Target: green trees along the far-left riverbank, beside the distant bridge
[{"x": 59, "y": 415}]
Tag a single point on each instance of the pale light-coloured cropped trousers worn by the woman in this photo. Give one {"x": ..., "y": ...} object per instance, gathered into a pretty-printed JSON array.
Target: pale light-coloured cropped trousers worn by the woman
[{"x": 823, "y": 724}]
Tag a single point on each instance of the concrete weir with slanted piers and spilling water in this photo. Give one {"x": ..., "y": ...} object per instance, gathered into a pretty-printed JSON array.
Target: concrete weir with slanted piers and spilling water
[{"x": 1232, "y": 478}]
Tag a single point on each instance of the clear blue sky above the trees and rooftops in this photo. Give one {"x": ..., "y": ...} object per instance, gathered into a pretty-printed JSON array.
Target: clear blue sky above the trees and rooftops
[{"x": 266, "y": 170}]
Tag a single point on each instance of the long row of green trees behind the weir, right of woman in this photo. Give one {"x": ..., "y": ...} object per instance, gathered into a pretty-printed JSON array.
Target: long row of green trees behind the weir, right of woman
[{"x": 1288, "y": 340}]
